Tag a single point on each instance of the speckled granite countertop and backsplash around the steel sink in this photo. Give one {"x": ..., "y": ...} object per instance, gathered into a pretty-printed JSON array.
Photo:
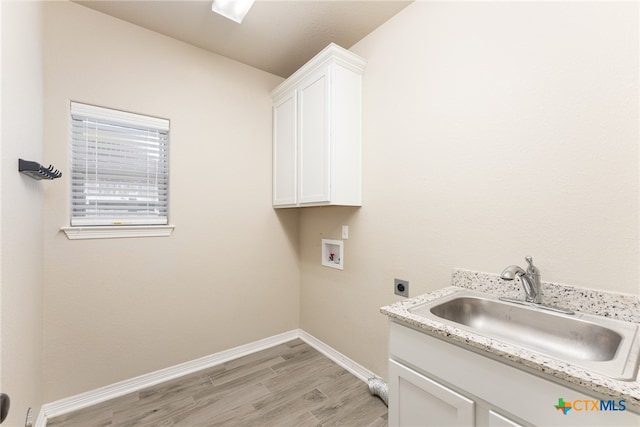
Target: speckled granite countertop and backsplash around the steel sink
[{"x": 617, "y": 306}]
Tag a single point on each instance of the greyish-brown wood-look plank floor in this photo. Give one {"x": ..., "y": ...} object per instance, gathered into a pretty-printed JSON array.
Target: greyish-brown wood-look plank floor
[{"x": 291, "y": 384}]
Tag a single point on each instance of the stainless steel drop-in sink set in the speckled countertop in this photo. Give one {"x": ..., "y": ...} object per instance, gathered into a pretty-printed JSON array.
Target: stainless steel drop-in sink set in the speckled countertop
[{"x": 607, "y": 346}]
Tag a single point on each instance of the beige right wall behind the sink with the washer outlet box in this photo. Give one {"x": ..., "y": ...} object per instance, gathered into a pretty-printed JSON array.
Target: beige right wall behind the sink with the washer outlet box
[{"x": 491, "y": 131}]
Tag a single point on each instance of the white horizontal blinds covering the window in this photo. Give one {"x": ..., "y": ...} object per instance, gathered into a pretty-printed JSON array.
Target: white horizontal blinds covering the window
[{"x": 120, "y": 167}]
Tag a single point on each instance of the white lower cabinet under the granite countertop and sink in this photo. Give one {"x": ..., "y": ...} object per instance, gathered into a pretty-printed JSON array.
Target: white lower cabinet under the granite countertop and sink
[{"x": 433, "y": 382}]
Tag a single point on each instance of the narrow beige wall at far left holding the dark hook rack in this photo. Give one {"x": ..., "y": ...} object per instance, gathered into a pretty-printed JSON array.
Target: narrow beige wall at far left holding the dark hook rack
[{"x": 21, "y": 204}]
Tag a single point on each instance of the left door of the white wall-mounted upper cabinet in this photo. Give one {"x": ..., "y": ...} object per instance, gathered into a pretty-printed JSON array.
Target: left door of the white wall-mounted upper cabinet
[{"x": 285, "y": 151}]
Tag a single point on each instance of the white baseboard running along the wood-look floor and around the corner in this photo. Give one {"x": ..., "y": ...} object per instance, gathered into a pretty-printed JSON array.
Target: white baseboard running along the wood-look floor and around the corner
[{"x": 102, "y": 394}]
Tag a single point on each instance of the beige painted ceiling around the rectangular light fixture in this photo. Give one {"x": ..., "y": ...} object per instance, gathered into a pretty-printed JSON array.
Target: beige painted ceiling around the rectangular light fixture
[{"x": 277, "y": 36}]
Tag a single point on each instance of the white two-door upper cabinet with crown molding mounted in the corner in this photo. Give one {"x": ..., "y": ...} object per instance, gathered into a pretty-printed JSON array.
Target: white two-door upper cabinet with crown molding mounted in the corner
[{"x": 317, "y": 132}]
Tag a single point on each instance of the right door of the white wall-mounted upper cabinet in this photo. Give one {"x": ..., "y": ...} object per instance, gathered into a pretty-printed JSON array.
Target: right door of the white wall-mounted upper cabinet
[{"x": 314, "y": 139}]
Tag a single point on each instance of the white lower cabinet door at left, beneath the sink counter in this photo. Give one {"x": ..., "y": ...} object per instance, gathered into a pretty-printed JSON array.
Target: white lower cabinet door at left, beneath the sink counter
[{"x": 415, "y": 400}]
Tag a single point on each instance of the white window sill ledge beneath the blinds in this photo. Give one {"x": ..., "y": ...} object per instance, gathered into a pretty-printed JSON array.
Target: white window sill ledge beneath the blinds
[{"x": 117, "y": 231}]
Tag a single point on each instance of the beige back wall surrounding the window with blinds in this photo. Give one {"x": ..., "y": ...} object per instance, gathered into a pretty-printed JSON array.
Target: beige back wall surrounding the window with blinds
[{"x": 228, "y": 275}]
